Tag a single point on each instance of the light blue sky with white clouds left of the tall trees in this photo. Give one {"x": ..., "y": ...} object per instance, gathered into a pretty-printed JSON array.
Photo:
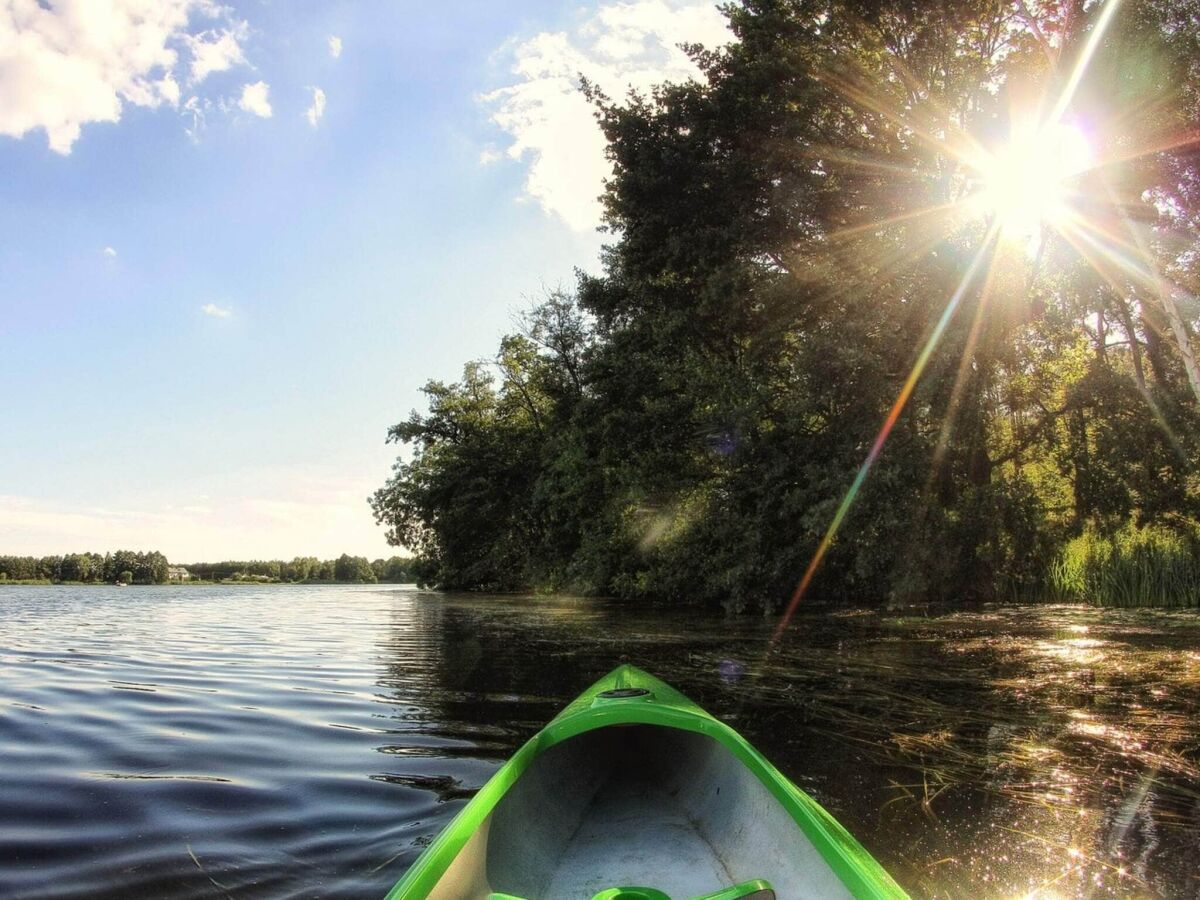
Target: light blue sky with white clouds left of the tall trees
[{"x": 217, "y": 296}]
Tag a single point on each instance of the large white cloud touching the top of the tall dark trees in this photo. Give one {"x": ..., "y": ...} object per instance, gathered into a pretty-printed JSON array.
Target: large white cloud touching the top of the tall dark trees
[{"x": 621, "y": 46}]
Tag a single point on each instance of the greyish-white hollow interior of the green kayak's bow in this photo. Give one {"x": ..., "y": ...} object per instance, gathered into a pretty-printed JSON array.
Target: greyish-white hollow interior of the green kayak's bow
[{"x": 638, "y": 806}]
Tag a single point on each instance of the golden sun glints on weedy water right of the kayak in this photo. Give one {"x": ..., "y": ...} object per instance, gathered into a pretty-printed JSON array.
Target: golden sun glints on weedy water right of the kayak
[{"x": 1083, "y": 754}]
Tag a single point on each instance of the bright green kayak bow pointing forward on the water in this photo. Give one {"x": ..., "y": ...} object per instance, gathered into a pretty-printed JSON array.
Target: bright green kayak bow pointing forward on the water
[{"x": 634, "y": 793}]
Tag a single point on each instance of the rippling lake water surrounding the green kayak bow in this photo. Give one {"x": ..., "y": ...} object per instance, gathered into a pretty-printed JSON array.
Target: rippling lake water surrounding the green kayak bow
[{"x": 310, "y": 741}]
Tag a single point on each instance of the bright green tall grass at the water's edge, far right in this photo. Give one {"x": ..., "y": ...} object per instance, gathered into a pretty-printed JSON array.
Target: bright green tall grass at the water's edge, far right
[{"x": 1130, "y": 568}]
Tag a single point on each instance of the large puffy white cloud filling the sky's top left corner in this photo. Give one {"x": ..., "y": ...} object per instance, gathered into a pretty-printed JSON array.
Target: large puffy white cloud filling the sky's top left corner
[{"x": 80, "y": 62}]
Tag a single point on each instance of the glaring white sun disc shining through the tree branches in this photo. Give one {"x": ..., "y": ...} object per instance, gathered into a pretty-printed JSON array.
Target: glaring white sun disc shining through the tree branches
[{"x": 1031, "y": 181}]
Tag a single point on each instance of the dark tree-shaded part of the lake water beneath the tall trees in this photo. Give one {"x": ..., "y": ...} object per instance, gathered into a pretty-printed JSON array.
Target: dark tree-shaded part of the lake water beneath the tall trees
[{"x": 1003, "y": 752}]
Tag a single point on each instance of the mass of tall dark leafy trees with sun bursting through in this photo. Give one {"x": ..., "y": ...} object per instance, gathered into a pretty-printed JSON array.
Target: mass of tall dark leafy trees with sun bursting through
[{"x": 909, "y": 283}]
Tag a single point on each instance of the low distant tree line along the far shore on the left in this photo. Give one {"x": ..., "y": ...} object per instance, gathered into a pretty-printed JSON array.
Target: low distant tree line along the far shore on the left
[{"x": 141, "y": 568}]
